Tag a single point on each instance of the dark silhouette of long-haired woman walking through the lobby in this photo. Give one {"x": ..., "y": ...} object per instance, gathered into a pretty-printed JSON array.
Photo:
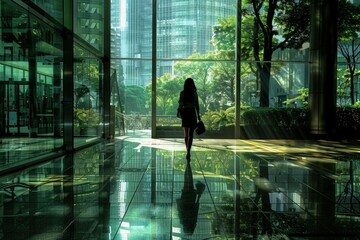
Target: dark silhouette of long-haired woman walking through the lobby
[{"x": 189, "y": 108}]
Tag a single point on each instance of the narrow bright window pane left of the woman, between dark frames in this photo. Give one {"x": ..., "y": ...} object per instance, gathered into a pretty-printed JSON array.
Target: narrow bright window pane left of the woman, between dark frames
[{"x": 131, "y": 59}]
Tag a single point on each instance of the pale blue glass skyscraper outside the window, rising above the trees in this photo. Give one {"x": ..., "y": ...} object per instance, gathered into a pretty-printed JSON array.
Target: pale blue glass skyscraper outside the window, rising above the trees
[{"x": 183, "y": 28}]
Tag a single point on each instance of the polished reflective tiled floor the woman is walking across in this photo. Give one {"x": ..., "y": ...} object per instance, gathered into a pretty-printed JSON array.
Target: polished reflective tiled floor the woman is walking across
[{"x": 142, "y": 188}]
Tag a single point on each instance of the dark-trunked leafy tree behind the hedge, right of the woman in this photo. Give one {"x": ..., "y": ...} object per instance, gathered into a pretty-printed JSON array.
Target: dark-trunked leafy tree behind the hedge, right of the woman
[{"x": 277, "y": 25}]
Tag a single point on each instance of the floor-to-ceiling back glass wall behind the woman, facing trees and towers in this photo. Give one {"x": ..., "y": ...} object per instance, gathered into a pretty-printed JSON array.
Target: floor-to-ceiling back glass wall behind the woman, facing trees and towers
[{"x": 198, "y": 39}]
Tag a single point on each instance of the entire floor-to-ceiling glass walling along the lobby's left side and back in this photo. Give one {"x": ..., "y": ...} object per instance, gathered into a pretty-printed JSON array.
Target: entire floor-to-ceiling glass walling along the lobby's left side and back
[{"x": 270, "y": 68}]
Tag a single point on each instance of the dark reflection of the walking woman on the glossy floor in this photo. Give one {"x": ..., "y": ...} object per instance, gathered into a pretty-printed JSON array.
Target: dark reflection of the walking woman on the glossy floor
[{"x": 188, "y": 203}]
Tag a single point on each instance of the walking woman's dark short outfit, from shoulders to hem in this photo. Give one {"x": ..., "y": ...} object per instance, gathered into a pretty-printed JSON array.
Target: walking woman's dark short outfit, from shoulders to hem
[{"x": 189, "y": 111}]
